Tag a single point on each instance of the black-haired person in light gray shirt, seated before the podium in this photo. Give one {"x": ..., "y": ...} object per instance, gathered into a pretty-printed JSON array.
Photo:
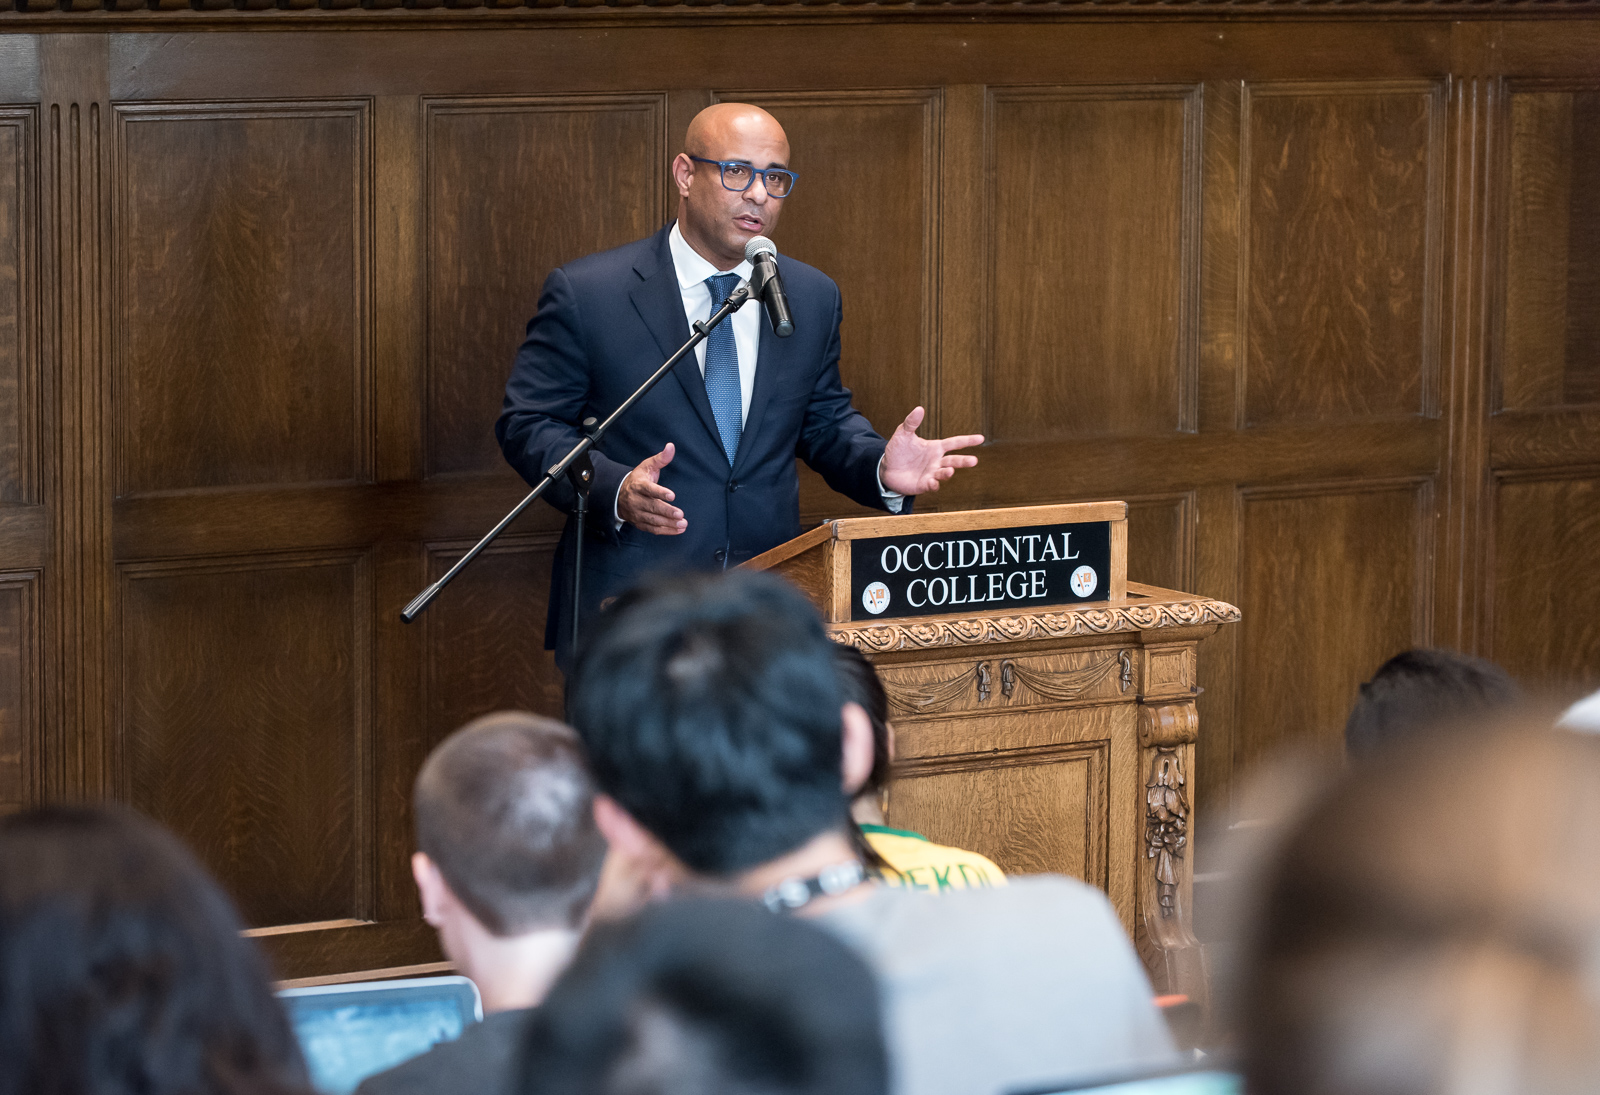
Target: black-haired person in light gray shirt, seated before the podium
[{"x": 722, "y": 745}]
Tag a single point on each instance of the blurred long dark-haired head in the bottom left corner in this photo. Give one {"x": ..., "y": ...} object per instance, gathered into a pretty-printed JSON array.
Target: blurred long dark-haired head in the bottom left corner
[{"x": 124, "y": 971}]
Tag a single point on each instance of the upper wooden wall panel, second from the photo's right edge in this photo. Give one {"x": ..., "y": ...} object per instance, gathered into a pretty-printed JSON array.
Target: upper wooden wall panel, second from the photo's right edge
[{"x": 1343, "y": 195}]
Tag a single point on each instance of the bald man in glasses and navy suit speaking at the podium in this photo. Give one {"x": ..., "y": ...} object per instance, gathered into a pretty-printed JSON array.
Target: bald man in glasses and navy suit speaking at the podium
[{"x": 700, "y": 475}]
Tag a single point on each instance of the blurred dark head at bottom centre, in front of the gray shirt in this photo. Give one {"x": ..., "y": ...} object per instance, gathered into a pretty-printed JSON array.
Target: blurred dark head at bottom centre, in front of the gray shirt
[{"x": 710, "y": 998}]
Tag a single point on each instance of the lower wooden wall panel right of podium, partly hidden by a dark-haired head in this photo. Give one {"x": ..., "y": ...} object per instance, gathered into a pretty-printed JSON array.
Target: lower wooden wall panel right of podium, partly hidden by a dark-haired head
[{"x": 1335, "y": 582}]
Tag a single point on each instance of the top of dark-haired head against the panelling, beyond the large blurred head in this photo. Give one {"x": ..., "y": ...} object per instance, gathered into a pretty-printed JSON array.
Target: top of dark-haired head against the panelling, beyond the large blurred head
[{"x": 1418, "y": 691}]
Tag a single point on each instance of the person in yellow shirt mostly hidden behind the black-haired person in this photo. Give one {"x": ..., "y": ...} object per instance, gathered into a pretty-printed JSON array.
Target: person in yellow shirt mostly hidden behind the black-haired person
[{"x": 903, "y": 859}]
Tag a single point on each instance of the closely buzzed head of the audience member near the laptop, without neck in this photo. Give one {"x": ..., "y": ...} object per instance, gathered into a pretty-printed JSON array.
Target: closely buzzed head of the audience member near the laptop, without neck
[{"x": 505, "y": 812}]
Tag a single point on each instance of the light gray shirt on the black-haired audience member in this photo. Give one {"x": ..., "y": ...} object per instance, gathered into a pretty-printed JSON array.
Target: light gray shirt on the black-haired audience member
[{"x": 1015, "y": 987}]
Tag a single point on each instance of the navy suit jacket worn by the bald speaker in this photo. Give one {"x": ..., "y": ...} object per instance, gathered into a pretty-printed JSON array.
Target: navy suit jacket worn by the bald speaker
[{"x": 606, "y": 324}]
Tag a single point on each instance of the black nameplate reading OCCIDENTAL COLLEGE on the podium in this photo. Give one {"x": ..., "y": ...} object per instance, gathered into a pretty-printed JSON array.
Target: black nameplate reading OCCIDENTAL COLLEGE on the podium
[{"x": 943, "y": 572}]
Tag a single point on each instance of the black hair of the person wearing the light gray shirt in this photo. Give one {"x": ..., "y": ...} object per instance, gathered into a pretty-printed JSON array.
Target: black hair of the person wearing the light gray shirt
[{"x": 711, "y": 712}]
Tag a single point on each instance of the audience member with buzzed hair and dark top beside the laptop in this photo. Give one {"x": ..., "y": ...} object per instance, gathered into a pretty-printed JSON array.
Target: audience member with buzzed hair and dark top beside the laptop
[{"x": 508, "y": 862}]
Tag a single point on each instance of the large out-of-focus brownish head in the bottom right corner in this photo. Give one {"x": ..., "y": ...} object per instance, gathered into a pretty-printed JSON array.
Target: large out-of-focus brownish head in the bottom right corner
[{"x": 1431, "y": 926}]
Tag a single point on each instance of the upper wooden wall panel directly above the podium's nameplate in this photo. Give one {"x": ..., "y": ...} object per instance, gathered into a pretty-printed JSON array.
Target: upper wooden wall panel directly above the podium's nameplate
[{"x": 1092, "y": 316}]
